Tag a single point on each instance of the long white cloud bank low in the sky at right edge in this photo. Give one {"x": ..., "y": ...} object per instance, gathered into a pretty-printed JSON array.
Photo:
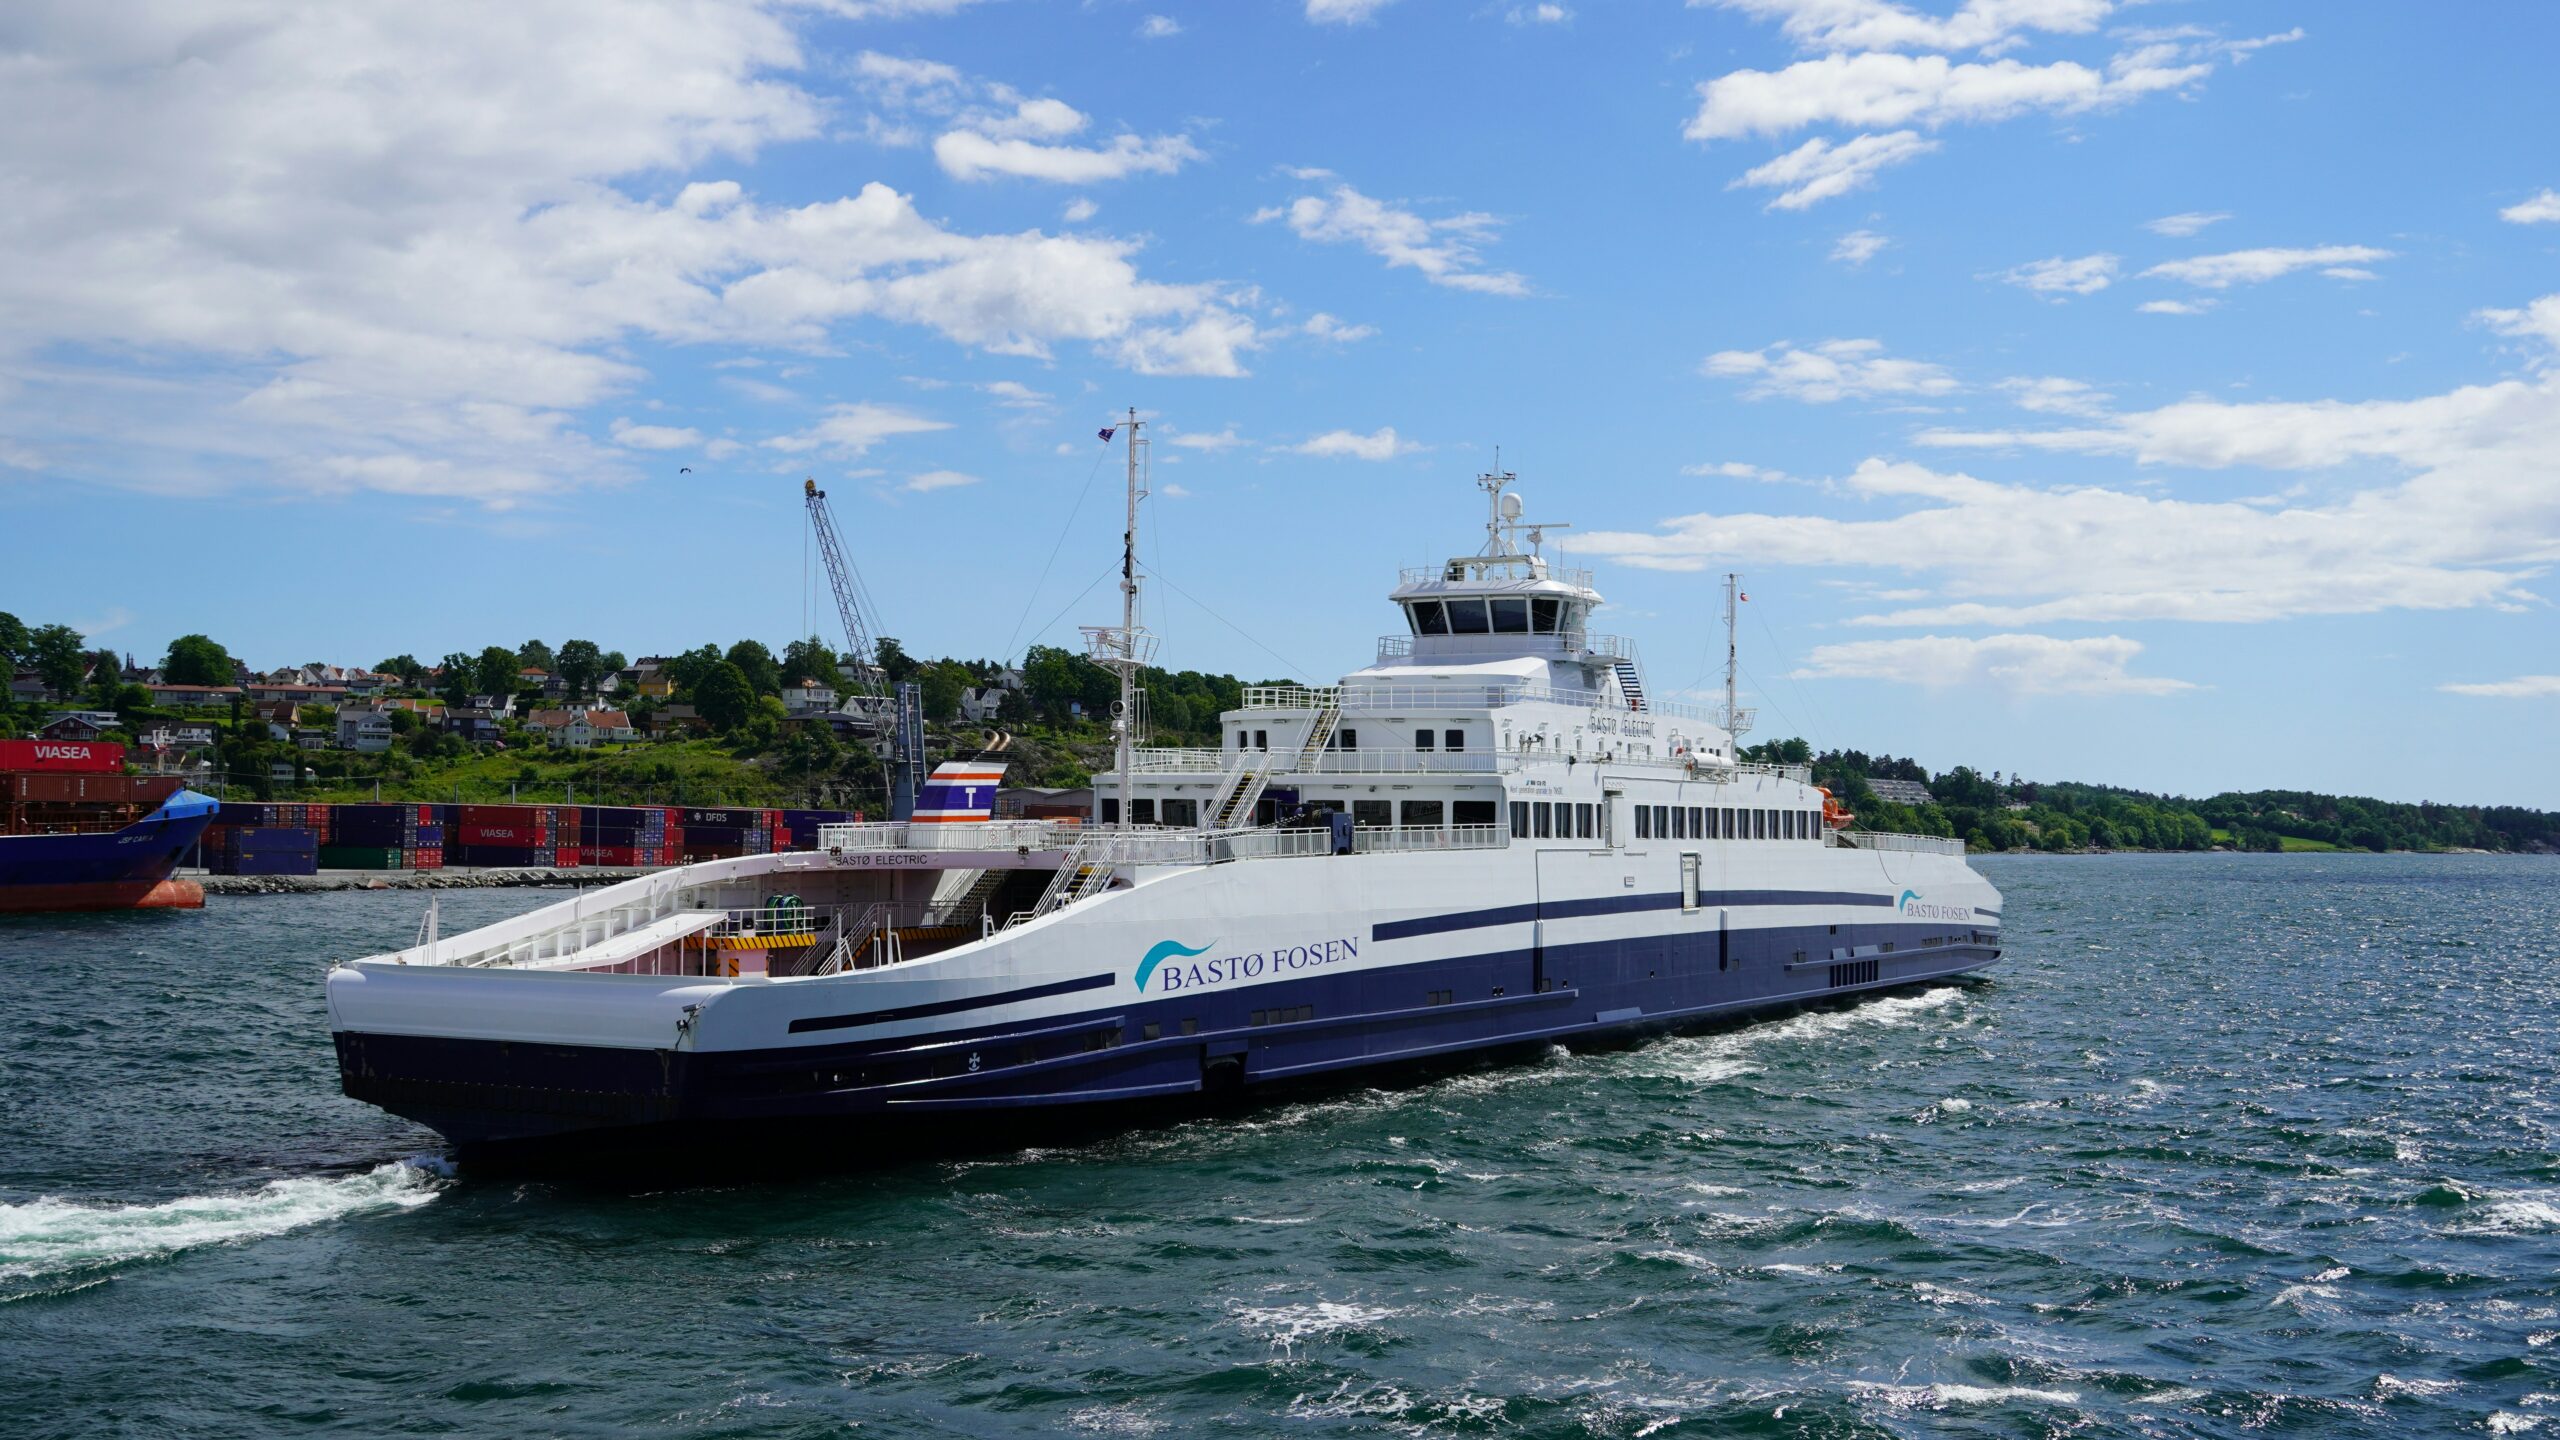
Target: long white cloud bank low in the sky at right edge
[{"x": 2472, "y": 521}]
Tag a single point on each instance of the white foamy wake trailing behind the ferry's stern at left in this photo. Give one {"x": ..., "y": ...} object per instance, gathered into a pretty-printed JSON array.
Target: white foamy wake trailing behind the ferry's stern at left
[{"x": 50, "y": 1239}]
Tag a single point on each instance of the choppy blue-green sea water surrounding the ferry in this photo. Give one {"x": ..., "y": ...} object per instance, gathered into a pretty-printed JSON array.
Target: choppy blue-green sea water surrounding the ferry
[{"x": 2223, "y": 1147}]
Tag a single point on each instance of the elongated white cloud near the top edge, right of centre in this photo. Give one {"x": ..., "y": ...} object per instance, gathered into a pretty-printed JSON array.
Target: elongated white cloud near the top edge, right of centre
[{"x": 1870, "y": 91}]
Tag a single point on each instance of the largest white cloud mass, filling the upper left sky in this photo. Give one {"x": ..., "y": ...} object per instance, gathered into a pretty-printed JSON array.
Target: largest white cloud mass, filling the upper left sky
[{"x": 416, "y": 281}]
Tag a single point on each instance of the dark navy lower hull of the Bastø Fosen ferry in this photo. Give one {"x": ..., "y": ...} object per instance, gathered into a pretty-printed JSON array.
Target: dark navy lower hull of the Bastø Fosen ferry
[{"x": 518, "y": 1103}]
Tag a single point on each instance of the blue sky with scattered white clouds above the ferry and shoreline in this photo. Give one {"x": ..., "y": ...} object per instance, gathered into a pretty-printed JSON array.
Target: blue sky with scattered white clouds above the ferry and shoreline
[{"x": 2136, "y": 393}]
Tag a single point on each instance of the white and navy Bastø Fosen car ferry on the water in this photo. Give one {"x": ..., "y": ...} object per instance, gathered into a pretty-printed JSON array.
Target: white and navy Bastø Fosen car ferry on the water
[{"x": 1491, "y": 839}]
